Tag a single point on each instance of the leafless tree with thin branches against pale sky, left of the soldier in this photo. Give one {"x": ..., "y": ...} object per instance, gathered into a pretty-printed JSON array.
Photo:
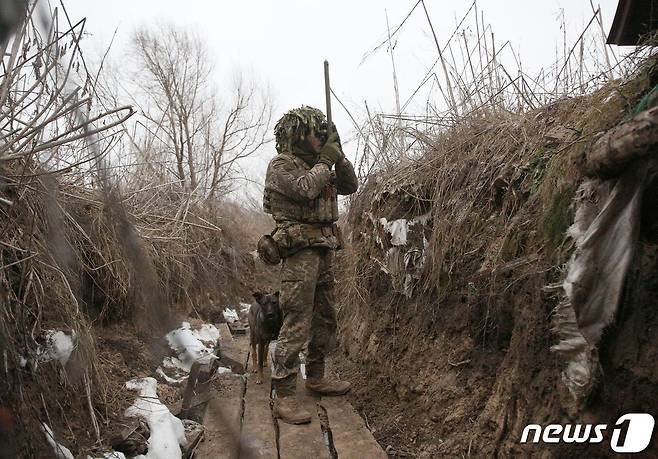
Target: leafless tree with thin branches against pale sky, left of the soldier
[{"x": 185, "y": 120}]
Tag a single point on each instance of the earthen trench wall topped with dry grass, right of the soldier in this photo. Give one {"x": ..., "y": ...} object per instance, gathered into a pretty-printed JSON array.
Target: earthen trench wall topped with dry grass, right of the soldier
[{"x": 459, "y": 364}]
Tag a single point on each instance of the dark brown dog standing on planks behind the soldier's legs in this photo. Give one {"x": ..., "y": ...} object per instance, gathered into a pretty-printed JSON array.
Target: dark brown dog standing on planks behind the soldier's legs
[{"x": 265, "y": 320}]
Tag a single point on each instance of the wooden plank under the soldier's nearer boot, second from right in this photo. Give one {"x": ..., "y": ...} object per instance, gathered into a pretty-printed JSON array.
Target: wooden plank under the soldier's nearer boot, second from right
[{"x": 303, "y": 441}]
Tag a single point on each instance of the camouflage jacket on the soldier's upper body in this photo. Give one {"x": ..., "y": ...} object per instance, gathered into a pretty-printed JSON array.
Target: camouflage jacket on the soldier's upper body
[{"x": 302, "y": 199}]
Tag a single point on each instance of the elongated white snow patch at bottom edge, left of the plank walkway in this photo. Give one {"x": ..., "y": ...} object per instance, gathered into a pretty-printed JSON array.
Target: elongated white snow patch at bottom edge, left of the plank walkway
[{"x": 167, "y": 431}]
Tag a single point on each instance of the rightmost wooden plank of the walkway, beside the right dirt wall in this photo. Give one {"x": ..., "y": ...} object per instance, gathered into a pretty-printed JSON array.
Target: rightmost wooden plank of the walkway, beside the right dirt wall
[{"x": 351, "y": 437}]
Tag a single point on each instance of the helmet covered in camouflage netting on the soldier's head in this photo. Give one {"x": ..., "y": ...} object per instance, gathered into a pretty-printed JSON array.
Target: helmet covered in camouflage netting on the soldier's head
[{"x": 296, "y": 124}]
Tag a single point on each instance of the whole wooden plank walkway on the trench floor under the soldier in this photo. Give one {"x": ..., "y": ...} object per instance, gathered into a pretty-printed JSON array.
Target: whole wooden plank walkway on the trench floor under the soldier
[{"x": 239, "y": 424}]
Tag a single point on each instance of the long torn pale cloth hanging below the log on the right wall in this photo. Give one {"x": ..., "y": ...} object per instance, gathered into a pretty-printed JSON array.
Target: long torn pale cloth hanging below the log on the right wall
[{"x": 605, "y": 231}]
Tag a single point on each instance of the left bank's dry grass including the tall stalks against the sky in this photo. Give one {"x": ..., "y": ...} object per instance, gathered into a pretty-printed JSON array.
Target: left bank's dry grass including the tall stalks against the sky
[{"x": 81, "y": 250}]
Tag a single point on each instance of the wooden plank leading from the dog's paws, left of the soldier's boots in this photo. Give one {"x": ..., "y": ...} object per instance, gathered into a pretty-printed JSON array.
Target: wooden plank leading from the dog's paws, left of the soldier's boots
[{"x": 258, "y": 436}]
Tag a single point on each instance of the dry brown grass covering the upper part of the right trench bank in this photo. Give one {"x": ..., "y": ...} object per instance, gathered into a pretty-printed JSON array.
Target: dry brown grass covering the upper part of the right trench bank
[{"x": 499, "y": 187}]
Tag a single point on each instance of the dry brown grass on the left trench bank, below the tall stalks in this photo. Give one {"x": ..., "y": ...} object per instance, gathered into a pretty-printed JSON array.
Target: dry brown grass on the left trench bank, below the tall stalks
[{"x": 74, "y": 260}]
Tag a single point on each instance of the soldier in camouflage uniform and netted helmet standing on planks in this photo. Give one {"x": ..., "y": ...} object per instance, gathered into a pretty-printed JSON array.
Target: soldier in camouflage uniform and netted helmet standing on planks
[{"x": 301, "y": 195}]
